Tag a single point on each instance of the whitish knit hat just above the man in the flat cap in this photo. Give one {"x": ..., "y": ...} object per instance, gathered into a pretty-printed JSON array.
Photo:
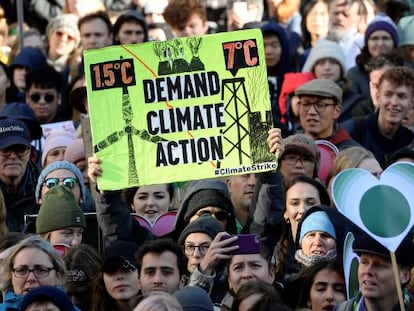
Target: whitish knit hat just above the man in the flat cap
[{"x": 325, "y": 49}]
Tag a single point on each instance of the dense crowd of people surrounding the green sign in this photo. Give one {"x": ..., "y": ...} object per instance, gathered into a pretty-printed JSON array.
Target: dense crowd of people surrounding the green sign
[{"x": 341, "y": 85}]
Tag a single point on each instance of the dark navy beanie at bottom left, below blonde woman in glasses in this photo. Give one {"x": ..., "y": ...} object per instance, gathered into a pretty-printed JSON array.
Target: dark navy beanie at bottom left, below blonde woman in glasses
[{"x": 47, "y": 298}]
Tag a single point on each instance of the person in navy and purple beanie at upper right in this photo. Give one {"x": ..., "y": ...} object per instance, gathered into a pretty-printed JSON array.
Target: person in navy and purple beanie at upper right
[{"x": 381, "y": 37}]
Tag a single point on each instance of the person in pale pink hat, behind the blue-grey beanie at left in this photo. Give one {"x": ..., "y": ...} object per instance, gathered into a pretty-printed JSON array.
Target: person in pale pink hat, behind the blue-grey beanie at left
[{"x": 57, "y": 140}]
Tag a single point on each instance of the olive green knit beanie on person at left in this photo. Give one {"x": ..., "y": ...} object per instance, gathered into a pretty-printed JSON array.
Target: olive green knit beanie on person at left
[{"x": 59, "y": 210}]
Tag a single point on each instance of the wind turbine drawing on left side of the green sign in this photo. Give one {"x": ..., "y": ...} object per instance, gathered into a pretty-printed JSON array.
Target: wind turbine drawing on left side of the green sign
[{"x": 130, "y": 131}]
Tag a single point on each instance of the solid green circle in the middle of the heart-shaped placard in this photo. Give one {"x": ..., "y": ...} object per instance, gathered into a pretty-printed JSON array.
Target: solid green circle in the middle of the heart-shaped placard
[{"x": 384, "y": 211}]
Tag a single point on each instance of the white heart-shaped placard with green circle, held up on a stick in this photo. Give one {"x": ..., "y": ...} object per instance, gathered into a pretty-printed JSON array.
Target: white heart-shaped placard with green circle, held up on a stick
[{"x": 383, "y": 208}]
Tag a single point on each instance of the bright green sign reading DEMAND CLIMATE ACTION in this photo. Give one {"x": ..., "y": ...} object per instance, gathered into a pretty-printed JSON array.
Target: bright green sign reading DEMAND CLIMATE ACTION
[{"x": 178, "y": 110}]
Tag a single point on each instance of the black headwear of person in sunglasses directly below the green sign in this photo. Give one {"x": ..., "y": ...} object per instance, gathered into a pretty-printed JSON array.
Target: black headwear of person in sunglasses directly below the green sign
[{"x": 207, "y": 197}]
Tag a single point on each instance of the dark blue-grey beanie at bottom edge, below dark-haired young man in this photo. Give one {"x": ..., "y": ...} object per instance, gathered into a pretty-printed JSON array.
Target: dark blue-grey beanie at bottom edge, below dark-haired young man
[{"x": 194, "y": 298}]
